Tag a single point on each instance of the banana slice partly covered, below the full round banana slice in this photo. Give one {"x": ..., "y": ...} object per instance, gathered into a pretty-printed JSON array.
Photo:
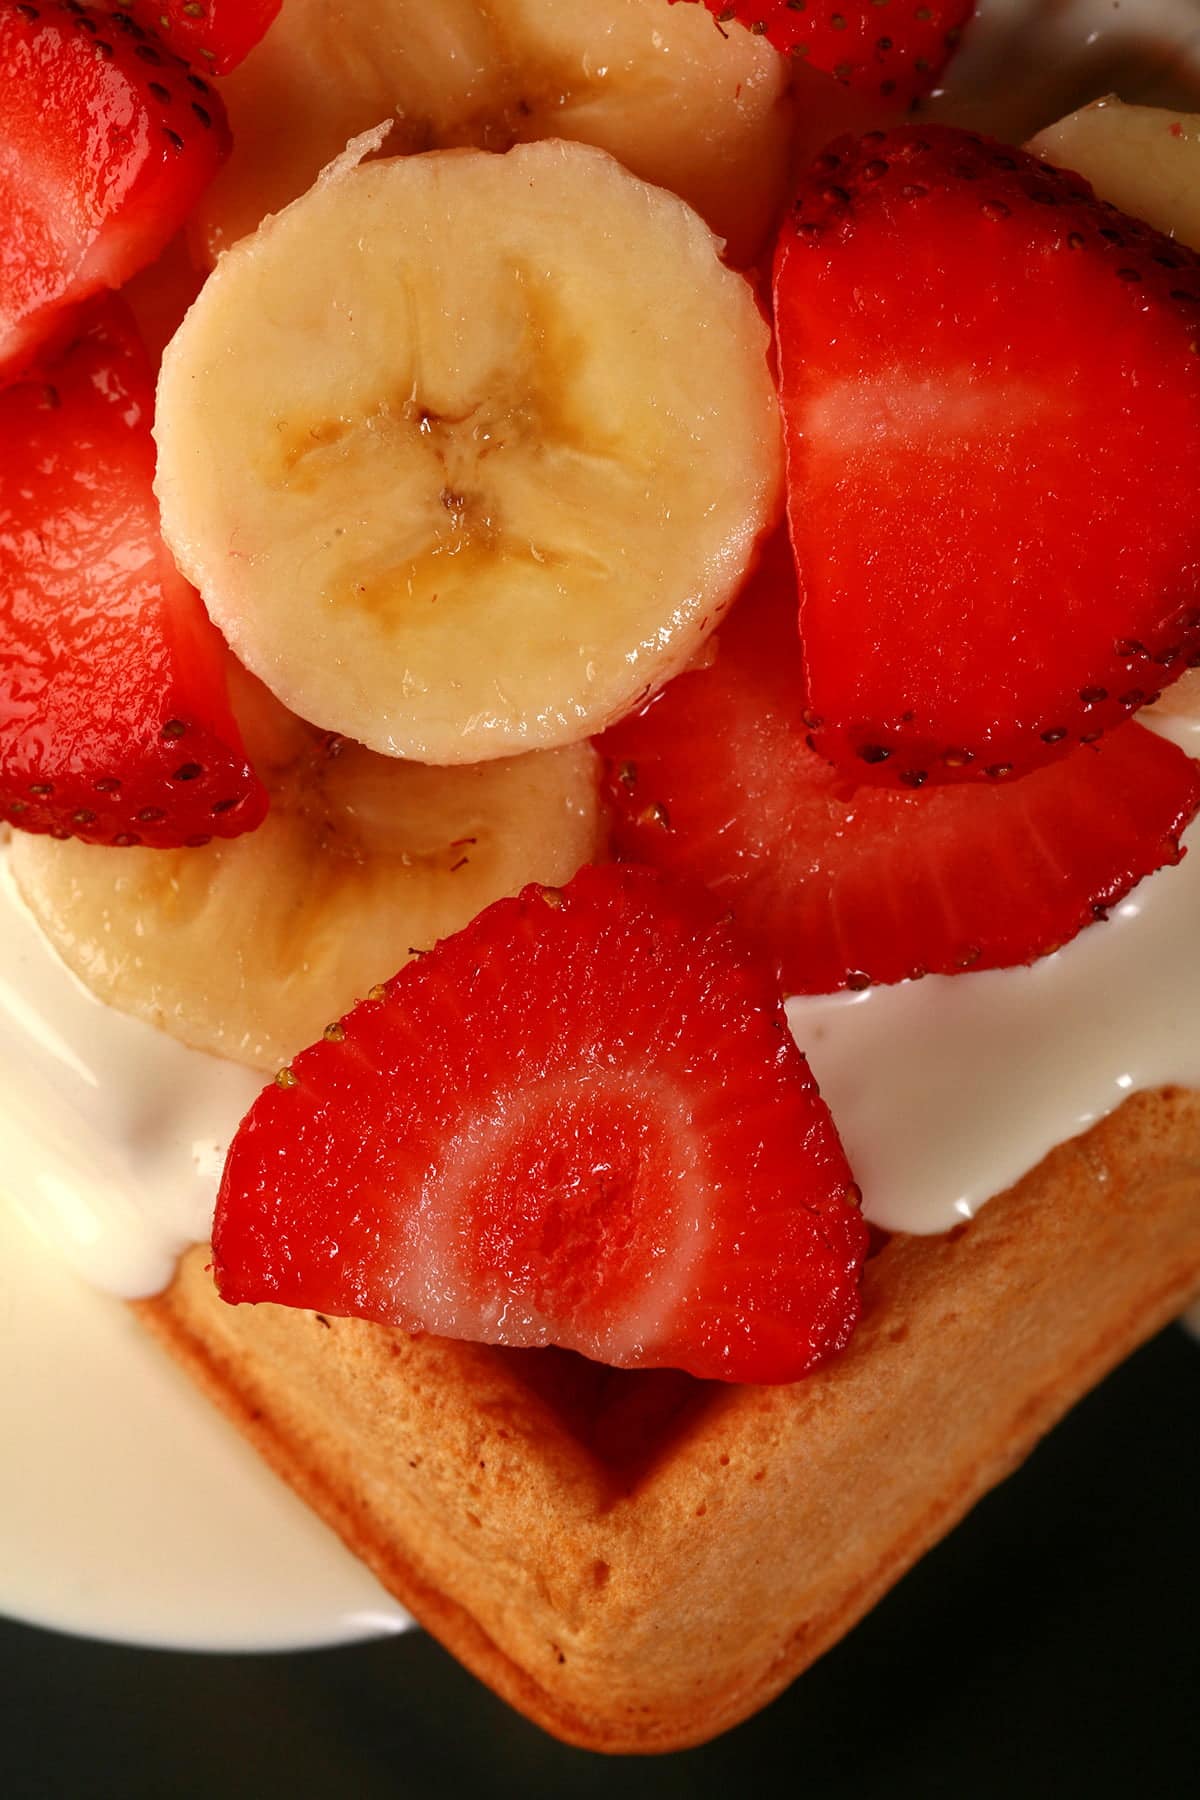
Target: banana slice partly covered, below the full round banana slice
[{"x": 253, "y": 948}]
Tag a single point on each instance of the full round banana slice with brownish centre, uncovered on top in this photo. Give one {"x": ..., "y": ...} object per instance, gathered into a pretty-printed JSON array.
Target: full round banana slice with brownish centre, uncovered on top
[{"x": 469, "y": 453}]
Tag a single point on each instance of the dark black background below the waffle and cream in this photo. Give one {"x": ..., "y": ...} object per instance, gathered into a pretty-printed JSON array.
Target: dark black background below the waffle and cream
[{"x": 1050, "y": 1648}]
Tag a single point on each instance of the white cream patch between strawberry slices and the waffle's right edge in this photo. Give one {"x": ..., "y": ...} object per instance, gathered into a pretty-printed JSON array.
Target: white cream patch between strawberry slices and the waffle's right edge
[{"x": 949, "y": 1090}]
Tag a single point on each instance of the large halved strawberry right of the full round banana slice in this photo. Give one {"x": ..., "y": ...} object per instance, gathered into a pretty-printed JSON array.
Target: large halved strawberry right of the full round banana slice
[{"x": 992, "y": 400}]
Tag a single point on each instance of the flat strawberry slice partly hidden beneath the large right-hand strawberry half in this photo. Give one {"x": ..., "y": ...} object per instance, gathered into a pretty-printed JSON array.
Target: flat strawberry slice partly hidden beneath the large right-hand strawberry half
[{"x": 837, "y": 888}]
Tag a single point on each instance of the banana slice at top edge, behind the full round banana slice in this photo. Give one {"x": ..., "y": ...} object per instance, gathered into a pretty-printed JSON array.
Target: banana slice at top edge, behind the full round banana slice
[{"x": 683, "y": 105}]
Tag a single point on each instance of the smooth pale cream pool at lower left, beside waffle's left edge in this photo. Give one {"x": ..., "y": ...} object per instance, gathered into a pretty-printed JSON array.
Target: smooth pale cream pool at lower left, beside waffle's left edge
[{"x": 129, "y": 1507}]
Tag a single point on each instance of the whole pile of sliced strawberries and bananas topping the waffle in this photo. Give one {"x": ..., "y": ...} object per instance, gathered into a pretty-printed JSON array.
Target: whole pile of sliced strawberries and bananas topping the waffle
[{"x": 506, "y": 654}]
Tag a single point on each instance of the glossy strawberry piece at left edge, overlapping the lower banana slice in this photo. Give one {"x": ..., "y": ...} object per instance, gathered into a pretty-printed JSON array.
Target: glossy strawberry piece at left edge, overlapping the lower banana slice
[{"x": 114, "y": 721}]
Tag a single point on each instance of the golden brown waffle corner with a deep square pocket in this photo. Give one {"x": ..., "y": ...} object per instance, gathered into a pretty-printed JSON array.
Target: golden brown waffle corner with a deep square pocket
[{"x": 638, "y": 1561}]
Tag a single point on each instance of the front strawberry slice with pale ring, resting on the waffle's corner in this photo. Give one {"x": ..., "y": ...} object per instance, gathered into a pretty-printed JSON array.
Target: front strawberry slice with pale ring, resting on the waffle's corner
[{"x": 580, "y": 1122}]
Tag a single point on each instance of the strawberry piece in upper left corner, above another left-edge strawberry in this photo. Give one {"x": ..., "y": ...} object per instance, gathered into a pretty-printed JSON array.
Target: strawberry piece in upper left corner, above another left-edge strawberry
[{"x": 107, "y": 141}]
